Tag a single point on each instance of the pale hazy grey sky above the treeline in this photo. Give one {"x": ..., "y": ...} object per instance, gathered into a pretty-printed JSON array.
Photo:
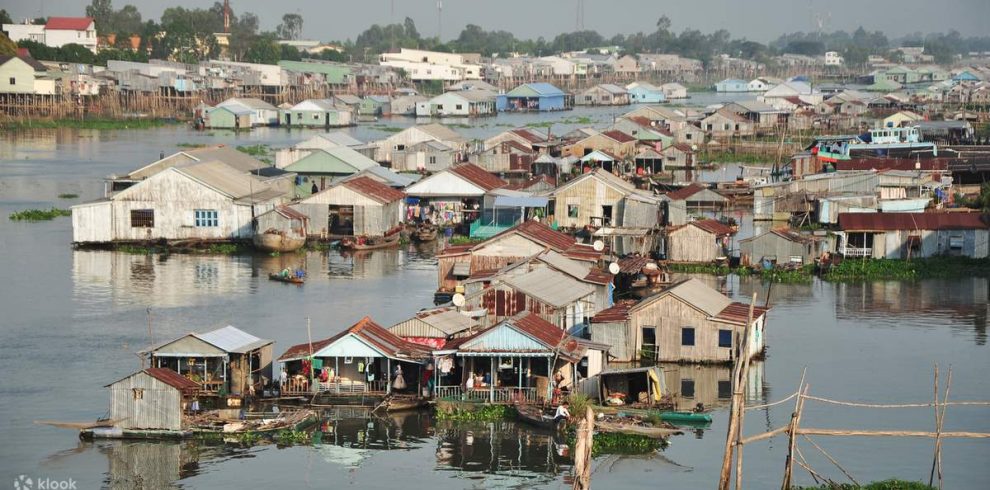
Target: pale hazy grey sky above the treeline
[{"x": 761, "y": 20}]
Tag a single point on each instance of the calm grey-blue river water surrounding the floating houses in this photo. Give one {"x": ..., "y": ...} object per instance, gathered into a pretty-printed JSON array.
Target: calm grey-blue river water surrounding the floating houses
[{"x": 71, "y": 321}]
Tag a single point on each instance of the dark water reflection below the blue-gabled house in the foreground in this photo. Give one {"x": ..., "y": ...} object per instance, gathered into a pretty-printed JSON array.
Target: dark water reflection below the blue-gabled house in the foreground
[{"x": 503, "y": 454}]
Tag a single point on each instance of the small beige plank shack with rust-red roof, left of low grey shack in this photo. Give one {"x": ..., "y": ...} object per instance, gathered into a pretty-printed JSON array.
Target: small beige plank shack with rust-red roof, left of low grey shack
[{"x": 700, "y": 242}]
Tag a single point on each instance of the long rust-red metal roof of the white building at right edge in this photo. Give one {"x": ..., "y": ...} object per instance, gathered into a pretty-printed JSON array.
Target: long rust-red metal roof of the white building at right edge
[{"x": 911, "y": 221}]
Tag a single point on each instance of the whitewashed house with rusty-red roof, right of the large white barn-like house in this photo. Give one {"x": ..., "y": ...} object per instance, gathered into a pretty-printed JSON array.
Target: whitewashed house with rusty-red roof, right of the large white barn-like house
[{"x": 358, "y": 206}]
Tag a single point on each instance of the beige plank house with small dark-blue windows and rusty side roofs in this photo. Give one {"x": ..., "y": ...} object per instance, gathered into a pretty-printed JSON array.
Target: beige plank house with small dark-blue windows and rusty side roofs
[{"x": 687, "y": 322}]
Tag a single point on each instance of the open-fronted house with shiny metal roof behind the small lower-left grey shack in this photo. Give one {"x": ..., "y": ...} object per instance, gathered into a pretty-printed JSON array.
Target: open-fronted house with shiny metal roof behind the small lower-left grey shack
[{"x": 225, "y": 361}]
